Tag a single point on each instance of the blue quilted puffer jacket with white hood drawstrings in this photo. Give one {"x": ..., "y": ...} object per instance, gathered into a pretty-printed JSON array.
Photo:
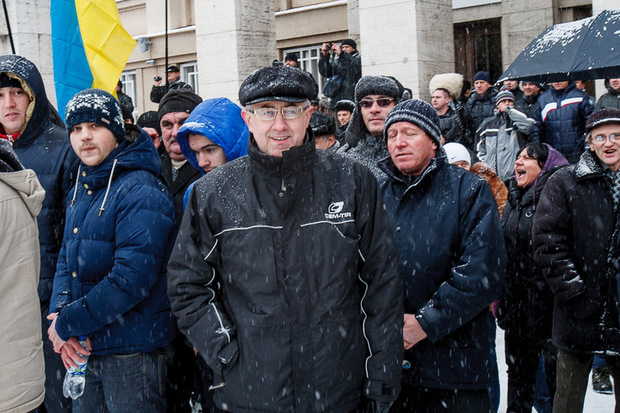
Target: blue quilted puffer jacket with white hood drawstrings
[{"x": 111, "y": 277}]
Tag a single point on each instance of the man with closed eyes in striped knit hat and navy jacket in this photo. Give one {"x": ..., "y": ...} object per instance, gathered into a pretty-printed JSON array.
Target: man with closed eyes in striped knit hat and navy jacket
[{"x": 451, "y": 250}]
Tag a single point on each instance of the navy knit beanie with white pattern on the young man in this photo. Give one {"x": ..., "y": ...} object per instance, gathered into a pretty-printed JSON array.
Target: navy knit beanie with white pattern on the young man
[{"x": 95, "y": 105}]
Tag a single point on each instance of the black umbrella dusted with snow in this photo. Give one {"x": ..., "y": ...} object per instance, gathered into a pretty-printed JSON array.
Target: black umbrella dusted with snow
[{"x": 579, "y": 50}]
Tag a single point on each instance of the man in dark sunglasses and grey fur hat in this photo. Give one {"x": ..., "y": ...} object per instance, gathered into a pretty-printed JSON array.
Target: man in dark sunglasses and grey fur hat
[{"x": 375, "y": 96}]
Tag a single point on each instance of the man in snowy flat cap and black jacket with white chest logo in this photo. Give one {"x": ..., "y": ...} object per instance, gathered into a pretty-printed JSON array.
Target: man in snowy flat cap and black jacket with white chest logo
[{"x": 284, "y": 274}]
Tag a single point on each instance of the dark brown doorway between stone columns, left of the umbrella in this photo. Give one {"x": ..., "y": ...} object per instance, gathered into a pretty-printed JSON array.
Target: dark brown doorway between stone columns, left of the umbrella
[{"x": 478, "y": 46}]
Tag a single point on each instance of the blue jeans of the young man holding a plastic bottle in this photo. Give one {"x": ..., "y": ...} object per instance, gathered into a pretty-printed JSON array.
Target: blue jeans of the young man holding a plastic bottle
[{"x": 126, "y": 383}]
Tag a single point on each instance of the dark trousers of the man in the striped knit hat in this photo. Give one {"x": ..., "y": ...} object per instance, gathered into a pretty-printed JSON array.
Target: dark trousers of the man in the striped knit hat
[{"x": 423, "y": 400}]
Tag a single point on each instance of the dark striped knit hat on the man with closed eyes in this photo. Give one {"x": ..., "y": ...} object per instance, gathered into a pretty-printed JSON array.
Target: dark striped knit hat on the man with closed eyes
[{"x": 419, "y": 113}]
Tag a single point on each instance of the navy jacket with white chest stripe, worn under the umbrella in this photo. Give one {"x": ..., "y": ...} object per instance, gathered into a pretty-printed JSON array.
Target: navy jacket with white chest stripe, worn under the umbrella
[{"x": 561, "y": 117}]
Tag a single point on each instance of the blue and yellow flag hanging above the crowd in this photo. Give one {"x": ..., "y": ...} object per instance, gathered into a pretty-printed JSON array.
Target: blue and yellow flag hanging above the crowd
[{"x": 89, "y": 46}]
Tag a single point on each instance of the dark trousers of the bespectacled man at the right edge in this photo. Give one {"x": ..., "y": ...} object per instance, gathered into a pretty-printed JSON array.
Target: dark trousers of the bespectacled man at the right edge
[{"x": 573, "y": 371}]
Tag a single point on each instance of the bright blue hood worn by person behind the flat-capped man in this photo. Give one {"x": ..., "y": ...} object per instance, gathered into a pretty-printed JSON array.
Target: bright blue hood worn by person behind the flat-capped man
[{"x": 220, "y": 120}]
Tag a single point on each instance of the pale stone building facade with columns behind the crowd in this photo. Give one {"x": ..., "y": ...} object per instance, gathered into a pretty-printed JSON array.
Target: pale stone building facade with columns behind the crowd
[{"x": 216, "y": 44}]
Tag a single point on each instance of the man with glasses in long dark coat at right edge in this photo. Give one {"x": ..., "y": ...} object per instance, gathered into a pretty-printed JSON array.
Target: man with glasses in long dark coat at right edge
[{"x": 575, "y": 236}]
